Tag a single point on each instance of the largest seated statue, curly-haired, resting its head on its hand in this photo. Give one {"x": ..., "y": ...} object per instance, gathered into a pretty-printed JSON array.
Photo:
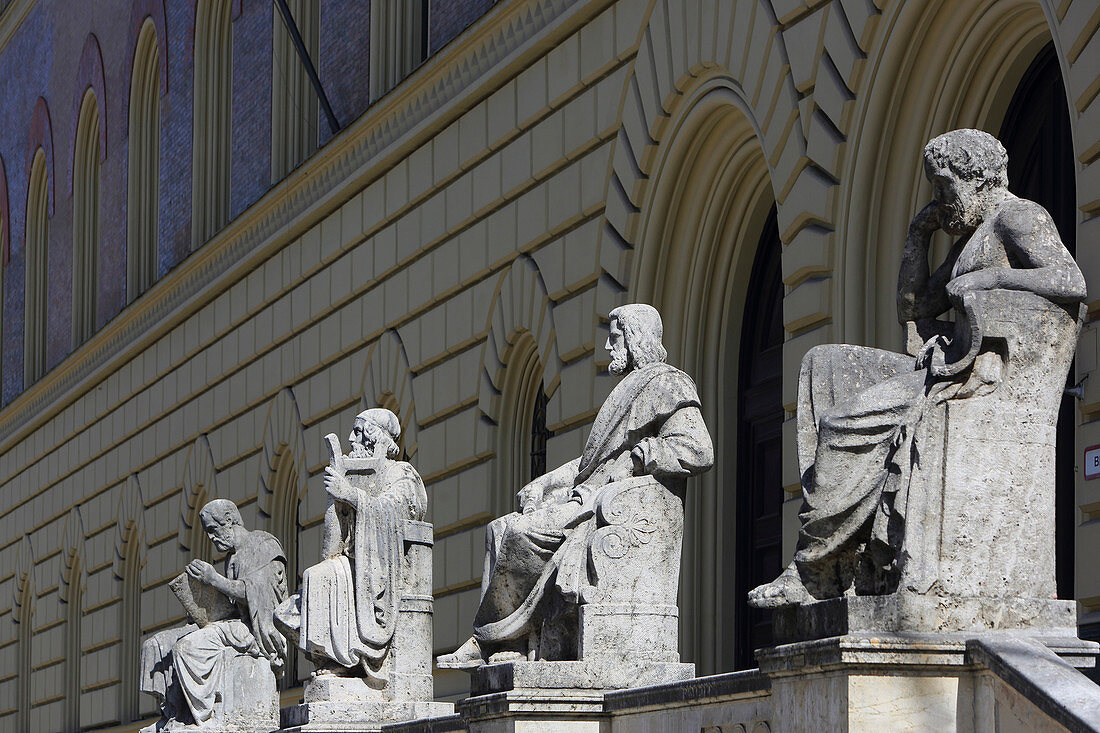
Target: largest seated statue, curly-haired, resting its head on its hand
[{"x": 932, "y": 473}]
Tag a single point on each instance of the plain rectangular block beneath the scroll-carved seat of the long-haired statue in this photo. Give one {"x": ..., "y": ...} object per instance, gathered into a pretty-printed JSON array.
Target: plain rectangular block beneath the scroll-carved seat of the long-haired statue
[{"x": 630, "y": 631}]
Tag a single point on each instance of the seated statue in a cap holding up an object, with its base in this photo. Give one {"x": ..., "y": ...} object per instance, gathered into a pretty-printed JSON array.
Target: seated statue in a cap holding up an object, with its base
[{"x": 364, "y": 616}]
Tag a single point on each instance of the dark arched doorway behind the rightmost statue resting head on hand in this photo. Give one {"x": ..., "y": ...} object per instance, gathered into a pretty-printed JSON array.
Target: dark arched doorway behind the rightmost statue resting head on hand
[{"x": 1039, "y": 140}]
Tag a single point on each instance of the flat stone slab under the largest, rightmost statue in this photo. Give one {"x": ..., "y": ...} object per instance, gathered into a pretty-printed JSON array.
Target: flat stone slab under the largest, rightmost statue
[{"x": 911, "y": 612}]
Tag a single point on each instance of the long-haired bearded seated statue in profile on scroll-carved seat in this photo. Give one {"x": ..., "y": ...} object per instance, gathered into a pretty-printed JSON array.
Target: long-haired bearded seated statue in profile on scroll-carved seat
[{"x": 604, "y": 528}]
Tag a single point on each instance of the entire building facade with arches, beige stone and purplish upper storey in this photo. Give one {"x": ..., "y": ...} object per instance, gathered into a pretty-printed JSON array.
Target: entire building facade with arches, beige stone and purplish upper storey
[{"x": 202, "y": 277}]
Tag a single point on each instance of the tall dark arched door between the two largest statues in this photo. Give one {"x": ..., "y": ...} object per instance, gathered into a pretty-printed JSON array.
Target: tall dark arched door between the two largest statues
[{"x": 760, "y": 443}]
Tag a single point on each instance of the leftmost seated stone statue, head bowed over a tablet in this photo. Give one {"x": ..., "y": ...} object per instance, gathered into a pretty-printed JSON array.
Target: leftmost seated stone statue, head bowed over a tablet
[{"x": 219, "y": 672}]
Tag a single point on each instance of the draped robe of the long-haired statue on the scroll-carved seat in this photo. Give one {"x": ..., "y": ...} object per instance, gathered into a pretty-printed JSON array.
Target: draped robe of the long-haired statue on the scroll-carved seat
[{"x": 525, "y": 553}]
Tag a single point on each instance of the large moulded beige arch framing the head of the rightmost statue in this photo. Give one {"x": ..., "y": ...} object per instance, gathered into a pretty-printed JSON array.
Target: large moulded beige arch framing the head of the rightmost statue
[{"x": 971, "y": 59}]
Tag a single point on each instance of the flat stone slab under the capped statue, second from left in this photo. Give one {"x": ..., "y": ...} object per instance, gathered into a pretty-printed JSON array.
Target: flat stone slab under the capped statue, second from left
[{"x": 366, "y": 717}]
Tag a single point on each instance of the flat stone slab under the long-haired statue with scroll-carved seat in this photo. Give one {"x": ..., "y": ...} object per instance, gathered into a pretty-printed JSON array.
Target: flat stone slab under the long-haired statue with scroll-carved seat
[{"x": 588, "y": 675}]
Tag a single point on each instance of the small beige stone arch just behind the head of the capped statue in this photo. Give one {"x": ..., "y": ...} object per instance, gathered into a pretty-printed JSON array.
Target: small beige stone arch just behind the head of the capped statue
[{"x": 388, "y": 382}]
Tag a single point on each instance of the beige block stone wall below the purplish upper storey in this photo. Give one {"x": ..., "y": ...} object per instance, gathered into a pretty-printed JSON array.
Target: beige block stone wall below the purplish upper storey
[{"x": 408, "y": 257}]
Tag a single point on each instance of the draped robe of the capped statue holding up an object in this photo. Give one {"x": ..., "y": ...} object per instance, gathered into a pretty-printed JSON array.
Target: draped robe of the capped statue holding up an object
[{"x": 349, "y": 601}]
